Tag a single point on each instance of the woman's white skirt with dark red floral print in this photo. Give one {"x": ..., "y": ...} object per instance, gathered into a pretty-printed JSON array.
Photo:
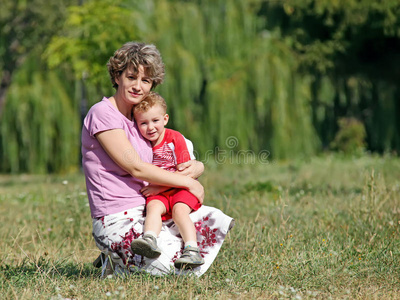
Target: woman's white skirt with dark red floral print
[{"x": 114, "y": 234}]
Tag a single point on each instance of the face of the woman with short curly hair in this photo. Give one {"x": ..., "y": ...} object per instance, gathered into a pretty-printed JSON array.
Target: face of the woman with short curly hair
[{"x": 132, "y": 88}]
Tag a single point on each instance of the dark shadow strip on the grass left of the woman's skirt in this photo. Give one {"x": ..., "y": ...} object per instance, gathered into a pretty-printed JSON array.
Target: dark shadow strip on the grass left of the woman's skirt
[{"x": 47, "y": 268}]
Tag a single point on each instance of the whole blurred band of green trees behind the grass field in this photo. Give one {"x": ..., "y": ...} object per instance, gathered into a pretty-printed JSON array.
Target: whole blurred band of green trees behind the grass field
[{"x": 275, "y": 75}]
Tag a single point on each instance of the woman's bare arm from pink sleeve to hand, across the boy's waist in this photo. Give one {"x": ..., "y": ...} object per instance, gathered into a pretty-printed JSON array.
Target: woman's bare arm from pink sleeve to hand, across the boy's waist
[{"x": 118, "y": 147}]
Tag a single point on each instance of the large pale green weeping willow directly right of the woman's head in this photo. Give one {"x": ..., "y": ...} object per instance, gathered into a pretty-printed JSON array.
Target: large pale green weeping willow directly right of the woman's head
[{"x": 228, "y": 79}]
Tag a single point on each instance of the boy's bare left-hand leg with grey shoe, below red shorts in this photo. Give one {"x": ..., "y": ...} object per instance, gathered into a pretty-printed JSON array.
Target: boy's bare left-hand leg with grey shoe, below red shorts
[{"x": 147, "y": 246}]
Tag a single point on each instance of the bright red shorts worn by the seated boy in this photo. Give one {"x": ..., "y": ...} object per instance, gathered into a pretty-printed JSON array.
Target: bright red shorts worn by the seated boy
[{"x": 171, "y": 197}]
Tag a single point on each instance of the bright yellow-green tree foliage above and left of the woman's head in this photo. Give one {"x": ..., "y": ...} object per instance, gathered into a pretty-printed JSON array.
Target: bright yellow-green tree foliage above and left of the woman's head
[{"x": 91, "y": 33}]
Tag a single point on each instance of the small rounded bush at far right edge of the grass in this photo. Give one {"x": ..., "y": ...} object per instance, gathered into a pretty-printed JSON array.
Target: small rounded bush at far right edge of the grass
[{"x": 350, "y": 139}]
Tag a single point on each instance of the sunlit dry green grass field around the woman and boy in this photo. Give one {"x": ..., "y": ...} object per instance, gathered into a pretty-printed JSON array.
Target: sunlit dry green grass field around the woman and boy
[{"x": 322, "y": 228}]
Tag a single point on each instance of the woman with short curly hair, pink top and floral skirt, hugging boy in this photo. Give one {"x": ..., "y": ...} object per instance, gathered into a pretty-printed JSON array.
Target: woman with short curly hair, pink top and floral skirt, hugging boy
[{"x": 117, "y": 165}]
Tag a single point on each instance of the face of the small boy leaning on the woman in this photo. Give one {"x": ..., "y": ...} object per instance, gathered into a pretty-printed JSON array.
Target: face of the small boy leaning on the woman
[{"x": 152, "y": 123}]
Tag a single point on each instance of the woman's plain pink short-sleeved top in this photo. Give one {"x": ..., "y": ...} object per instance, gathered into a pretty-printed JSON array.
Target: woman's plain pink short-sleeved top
[{"x": 110, "y": 189}]
